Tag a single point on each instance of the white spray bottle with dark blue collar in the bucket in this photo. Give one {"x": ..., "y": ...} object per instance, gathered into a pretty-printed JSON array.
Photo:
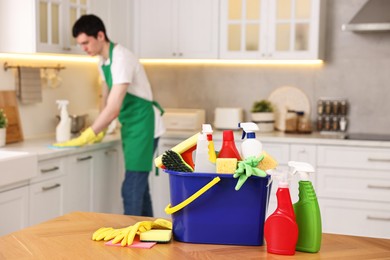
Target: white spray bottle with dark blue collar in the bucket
[{"x": 250, "y": 146}]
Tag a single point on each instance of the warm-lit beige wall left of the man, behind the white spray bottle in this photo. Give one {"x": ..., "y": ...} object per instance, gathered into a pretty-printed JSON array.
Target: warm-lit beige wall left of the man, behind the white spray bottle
[{"x": 80, "y": 85}]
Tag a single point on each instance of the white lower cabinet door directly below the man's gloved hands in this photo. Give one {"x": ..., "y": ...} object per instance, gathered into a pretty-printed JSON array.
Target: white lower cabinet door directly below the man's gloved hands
[{"x": 78, "y": 183}]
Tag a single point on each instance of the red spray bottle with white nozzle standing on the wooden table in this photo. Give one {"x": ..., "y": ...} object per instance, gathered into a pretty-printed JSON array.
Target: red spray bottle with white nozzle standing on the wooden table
[{"x": 281, "y": 229}]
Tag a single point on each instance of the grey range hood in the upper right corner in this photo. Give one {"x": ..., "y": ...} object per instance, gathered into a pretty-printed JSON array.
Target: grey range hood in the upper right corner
[{"x": 373, "y": 16}]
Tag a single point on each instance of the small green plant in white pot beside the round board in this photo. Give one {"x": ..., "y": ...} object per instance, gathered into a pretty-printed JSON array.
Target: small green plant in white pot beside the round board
[{"x": 263, "y": 114}]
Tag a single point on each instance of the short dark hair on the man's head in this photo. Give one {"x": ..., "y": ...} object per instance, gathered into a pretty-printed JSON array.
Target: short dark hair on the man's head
[{"x": 90, "y": 25}]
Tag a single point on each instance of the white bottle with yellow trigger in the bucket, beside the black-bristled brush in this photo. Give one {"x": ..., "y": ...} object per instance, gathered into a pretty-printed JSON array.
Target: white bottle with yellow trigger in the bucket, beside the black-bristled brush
[{"x": 203, "y": 162}]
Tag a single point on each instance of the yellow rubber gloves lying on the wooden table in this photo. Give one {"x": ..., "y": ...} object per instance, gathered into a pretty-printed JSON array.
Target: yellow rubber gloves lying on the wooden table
[{"x": 126, "y": 235}]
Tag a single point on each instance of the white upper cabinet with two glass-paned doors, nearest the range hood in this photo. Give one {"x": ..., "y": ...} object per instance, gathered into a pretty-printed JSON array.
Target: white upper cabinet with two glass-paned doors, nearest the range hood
[{"x": 271, "y": 29}]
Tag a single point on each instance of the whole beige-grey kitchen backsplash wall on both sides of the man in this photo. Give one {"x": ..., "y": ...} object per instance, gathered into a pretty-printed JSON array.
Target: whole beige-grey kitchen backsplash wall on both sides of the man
[{"x": 356, "y": 68}]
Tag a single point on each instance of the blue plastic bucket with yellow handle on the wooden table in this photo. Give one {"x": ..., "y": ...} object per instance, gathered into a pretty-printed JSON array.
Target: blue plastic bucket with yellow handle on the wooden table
[{"x": 220, "y": 215}]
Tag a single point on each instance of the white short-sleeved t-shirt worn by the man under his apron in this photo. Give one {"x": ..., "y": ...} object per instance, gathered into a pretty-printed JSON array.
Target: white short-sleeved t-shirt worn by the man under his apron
[{"x": 126, "y": 68}]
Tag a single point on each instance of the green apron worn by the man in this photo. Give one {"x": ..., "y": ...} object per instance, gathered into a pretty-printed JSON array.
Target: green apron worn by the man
[{"x": 137, "y": 119}]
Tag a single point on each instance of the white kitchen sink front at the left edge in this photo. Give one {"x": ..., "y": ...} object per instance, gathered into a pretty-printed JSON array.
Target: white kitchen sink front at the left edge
[{"x": 17, "y": 166}]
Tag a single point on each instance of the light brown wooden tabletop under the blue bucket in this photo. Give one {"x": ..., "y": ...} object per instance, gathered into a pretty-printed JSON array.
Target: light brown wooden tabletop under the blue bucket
[{"x": 69, "y": 237}]
